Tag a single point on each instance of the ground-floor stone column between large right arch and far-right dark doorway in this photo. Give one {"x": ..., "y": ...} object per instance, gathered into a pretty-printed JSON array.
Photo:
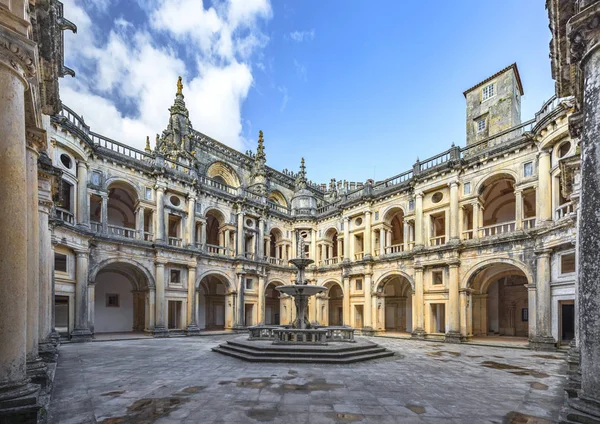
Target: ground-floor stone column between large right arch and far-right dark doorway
[{"x": 543, "y": 339}]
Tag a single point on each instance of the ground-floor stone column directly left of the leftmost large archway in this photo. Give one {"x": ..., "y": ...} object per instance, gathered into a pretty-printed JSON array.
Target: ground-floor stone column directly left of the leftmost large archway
[{"x": 81, "y": 332}]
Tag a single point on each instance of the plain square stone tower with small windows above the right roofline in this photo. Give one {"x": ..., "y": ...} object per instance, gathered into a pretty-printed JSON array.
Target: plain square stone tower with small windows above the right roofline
[{"x": 494, "y": 104}]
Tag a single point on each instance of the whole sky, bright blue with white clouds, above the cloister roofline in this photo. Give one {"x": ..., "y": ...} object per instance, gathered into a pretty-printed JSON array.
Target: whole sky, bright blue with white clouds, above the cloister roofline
[{"x": 359, "y": 88}]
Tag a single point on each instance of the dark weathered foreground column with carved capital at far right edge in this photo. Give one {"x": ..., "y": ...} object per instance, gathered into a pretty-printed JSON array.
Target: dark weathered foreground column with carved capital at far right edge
[{"x": 584, "y": 28}]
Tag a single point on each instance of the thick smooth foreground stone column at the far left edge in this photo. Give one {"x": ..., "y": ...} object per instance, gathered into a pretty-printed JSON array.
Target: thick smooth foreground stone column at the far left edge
[{"x": 18, "y": 398}]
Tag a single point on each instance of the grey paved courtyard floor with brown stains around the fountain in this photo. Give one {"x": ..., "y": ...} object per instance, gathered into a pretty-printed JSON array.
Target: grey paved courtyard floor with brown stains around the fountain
[{"x": 182, "y": 380}]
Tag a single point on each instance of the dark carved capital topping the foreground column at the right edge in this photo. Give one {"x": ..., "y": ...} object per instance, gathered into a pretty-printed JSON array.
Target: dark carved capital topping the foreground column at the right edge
[{"x": 584, "y": 33}]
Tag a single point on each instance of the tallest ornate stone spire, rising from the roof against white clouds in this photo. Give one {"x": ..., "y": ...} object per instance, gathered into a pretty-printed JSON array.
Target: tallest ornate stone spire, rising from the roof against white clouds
[{"x": 176, "y": 140}]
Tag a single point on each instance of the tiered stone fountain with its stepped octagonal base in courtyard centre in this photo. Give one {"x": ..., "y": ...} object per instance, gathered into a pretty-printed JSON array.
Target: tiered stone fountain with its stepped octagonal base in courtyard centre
[{"x": 302, "y": 342}]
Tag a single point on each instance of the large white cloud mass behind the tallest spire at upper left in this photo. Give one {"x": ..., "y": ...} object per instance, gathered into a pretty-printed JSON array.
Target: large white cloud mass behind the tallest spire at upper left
[{"x": 126, "y": 80}]
